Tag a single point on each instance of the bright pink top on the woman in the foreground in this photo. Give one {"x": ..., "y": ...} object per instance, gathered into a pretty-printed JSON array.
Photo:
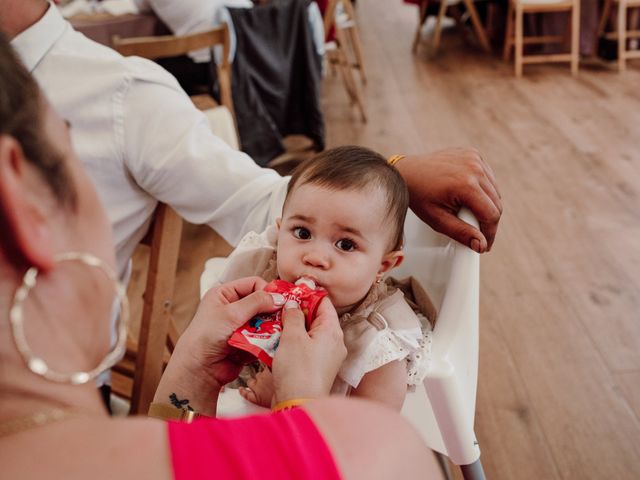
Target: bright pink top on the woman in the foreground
[{"x": 285, "y": 445}]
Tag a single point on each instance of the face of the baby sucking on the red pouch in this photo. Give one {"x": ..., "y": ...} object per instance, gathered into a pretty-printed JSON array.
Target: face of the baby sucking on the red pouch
[{"x": 340, "y": 239}]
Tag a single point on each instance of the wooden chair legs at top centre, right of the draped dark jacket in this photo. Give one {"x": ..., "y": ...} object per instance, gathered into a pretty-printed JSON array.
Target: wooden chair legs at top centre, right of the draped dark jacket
[{"x": 337, "y": 58}]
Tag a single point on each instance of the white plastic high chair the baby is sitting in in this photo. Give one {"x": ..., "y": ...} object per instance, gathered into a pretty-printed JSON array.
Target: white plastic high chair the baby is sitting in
[{"x": 443, "y": 412}]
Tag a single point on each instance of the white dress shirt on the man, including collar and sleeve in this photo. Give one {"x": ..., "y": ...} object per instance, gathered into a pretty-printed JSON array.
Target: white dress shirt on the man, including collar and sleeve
[{"x": 142, "y": 140}]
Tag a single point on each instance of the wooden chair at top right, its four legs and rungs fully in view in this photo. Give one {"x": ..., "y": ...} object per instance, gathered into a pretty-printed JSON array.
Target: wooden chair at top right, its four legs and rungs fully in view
[{"x": 515, "y": 16}]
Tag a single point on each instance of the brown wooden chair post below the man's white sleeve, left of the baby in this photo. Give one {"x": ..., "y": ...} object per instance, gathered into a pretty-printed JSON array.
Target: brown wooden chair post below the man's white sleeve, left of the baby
[{"x": 137, "y": 375}]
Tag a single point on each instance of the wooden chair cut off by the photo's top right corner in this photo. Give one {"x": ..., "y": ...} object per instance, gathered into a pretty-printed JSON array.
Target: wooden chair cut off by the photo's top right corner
[{"x": 622, "y": 33}]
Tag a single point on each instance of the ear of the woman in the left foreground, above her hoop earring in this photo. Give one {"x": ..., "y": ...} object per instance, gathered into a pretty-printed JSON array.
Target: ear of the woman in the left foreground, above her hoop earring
[{"x": 26, "y": 237}]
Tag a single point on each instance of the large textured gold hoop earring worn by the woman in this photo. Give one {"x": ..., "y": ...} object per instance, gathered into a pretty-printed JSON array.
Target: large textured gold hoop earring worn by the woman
[{"x": 36, "y": 364}]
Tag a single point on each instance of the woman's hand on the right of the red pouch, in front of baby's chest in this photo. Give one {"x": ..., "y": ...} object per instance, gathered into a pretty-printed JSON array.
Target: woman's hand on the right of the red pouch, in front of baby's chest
[{"x": 306, "y": 363}]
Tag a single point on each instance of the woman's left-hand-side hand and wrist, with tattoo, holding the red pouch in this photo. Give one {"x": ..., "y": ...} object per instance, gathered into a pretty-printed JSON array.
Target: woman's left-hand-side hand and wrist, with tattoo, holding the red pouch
[{"x": 202, "y": 361}]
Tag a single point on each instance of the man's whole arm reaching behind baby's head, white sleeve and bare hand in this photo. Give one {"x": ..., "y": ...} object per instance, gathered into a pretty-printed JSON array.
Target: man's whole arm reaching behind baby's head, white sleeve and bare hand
[{"x": 172, "y": 154}]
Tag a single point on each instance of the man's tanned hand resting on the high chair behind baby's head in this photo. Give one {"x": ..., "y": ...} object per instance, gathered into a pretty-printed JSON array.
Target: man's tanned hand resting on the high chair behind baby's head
[{"x": 443, "y": 182}]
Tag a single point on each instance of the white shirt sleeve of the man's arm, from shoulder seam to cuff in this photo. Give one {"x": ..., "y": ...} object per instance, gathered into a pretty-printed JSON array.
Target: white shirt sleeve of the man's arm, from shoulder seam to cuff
[{"x": 172, "y": 154}]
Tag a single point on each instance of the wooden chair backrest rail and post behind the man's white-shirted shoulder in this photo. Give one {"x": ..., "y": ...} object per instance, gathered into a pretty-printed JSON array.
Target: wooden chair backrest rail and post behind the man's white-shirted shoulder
[{"x": 164, "y": 46}]
